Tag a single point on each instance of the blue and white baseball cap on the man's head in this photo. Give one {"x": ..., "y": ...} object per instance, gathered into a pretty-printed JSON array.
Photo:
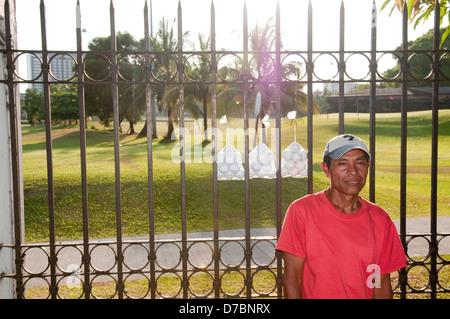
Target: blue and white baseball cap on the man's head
[{"x": 341, "y": 144}]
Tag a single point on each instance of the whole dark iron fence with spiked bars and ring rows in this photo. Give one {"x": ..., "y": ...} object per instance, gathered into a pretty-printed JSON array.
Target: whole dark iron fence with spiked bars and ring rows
[{"x": 232, "y": 265}]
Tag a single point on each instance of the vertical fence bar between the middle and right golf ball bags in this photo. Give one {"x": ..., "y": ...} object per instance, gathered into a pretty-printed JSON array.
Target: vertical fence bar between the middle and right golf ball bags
[{"x": 278, "y": 72}]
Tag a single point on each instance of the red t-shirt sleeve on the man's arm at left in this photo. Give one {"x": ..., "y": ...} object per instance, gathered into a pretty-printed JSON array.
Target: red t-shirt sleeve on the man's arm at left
[{"x": 292, "y": 236}]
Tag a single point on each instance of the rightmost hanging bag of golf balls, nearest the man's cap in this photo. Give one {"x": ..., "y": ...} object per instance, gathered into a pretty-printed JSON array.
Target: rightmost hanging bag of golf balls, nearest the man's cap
[{"x": 294, "y": 161}]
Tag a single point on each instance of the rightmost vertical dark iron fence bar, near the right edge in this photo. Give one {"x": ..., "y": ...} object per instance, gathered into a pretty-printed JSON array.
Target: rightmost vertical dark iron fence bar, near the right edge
[{"x": 434, "y": 151}]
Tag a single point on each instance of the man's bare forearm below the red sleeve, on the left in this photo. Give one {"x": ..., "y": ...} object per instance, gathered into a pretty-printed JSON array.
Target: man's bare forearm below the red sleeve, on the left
[{"x": 293, "y": 272}]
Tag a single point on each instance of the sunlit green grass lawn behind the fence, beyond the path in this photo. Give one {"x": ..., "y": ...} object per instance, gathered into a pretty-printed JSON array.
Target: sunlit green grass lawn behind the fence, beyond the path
[{"x": 199, "y": 198}]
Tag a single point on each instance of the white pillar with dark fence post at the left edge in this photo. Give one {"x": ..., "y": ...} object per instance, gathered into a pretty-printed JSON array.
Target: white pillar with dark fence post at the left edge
[{"x": 11, "y": 199}]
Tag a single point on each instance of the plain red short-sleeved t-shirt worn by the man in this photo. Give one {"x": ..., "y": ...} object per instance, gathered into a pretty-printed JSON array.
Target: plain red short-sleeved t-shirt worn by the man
[{"x": 342, "y": 251}]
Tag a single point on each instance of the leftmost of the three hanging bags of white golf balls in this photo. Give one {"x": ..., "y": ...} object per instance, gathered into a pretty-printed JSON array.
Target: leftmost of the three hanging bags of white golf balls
[{"x": 229, "y": 164}]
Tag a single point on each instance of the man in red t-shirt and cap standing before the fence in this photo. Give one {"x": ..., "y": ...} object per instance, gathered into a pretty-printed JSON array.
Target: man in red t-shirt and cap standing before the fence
[{"x": 336, "y": 244}]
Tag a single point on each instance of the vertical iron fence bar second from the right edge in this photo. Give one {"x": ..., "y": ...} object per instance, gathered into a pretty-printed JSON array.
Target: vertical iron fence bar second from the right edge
[{"x": 403, "y": 149}]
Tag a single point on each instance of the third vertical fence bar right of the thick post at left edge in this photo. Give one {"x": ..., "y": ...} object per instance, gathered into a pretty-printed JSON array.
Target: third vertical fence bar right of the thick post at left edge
[{"x": 115, "y": 103}]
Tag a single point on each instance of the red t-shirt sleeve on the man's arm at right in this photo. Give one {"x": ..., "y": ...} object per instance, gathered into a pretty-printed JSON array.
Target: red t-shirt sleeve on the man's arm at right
[{"x": 393, "y": 255}]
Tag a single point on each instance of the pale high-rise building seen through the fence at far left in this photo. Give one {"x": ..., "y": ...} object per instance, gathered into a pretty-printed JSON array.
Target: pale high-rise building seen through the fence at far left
[{"x": 61, "y": 68}]
